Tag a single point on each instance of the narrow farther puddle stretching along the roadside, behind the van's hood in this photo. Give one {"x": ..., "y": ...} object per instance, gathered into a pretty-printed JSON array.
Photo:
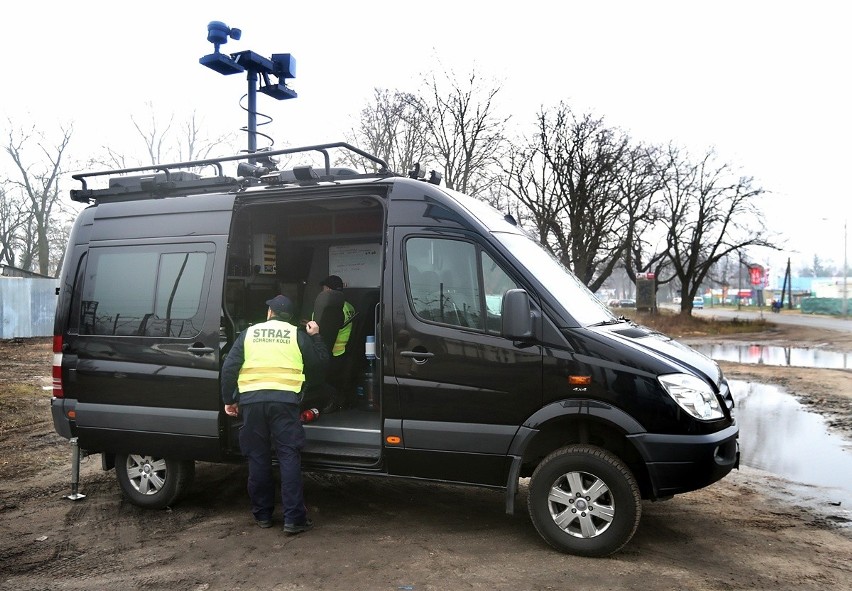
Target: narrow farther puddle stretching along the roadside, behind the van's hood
[{"x": 774, "y": 355}]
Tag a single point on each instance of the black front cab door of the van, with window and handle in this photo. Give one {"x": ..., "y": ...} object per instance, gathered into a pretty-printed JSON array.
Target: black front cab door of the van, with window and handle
[{"x": 462, "y": 390}]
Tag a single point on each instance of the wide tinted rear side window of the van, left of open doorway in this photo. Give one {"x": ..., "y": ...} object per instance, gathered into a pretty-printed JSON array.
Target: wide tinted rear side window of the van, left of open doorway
[{"x": 143, "y": 292}]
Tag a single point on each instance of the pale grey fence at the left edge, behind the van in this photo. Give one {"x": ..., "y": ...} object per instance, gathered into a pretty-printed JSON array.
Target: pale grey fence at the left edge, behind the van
[{"x": 27, "y": 307}]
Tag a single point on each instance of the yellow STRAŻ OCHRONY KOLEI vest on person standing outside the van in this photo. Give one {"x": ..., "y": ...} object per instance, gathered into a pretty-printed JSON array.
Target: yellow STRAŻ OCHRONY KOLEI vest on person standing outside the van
[{"x": 272, "y": 359}]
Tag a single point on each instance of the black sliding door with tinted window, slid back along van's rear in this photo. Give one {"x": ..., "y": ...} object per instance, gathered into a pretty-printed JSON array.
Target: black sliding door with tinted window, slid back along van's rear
[{"x": 142, "y": 349}]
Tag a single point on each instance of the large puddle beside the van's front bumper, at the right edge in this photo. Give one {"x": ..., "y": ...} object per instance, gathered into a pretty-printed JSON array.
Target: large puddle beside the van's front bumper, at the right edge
[{"x": 779, "y": 435}]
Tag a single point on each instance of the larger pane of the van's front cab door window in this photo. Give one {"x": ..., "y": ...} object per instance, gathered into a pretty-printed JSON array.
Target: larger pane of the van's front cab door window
[{"x": 443, "y": 281}]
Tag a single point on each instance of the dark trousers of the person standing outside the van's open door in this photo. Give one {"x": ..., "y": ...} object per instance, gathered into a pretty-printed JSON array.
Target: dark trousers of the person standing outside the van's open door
[{"x": 268, "y": 426}]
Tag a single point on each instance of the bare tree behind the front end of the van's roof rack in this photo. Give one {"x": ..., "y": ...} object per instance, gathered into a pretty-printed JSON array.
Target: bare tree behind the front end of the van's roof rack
[{"x": 390, "y": 128}]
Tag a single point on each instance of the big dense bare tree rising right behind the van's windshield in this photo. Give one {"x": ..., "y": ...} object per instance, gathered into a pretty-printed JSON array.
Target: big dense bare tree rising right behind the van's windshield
[{"x": 587, "y": 192}]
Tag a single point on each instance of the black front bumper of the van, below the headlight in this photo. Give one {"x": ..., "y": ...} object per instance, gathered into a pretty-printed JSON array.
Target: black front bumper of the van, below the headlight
[{"x": 681, "y": 463}]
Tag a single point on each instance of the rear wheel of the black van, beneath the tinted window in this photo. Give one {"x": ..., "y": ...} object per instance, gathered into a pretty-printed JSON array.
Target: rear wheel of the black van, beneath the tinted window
[{"x": 153, "y": 482}]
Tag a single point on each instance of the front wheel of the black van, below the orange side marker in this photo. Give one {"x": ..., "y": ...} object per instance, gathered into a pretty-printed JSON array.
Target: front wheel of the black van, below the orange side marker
[{"x": 584, "y": 500}]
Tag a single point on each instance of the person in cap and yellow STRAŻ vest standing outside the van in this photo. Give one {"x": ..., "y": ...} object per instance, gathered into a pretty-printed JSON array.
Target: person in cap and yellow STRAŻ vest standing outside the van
[{"x": 262, "y": 379}]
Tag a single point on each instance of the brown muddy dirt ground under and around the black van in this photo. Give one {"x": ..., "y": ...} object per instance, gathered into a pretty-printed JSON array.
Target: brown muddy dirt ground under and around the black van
[{"x": 740, "y": 533}]
